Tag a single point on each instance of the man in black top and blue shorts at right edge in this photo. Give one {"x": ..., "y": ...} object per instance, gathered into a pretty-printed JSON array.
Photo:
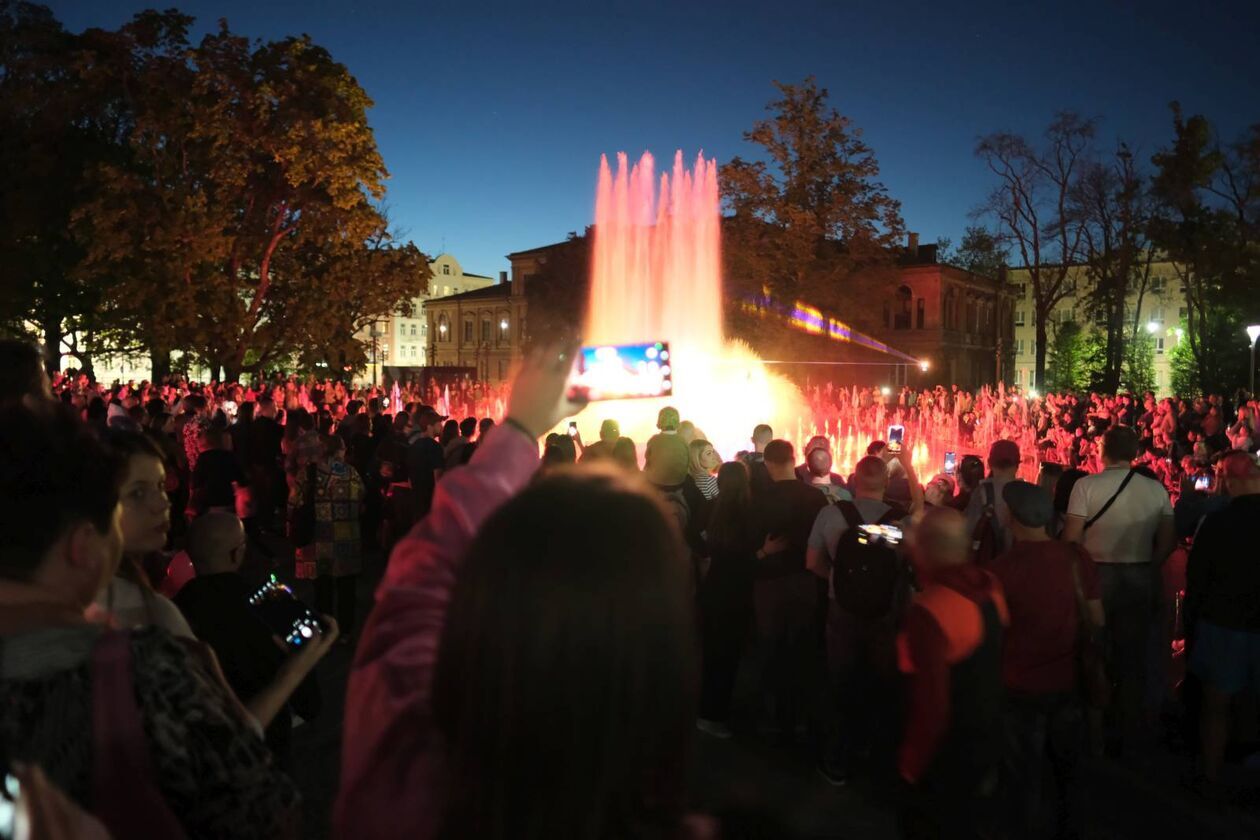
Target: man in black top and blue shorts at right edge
[{"x": 1223, "y": 608}]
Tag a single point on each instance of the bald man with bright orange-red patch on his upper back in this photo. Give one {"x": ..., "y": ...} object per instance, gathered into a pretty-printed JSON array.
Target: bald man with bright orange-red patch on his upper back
[{"x": 952, "y": 650}]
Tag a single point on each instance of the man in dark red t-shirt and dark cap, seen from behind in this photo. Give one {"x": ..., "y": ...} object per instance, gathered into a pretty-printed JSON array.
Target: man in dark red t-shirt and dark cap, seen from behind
[{"x": 1044, "y": 713}]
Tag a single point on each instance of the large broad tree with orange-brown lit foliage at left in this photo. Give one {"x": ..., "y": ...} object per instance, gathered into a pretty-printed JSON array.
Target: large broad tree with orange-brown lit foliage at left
[{"x": 251, "y": 181}]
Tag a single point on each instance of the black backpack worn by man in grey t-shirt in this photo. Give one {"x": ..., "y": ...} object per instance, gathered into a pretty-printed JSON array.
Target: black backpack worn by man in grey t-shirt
[{"x": 866, "y": 574}]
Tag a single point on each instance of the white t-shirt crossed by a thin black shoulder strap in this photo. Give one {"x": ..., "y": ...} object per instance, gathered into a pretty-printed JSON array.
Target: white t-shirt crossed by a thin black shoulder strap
[{"x": 1127, "y": 532}]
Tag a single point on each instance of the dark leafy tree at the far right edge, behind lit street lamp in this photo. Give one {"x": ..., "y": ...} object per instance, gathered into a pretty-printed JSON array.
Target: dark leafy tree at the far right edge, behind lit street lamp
[{"x": 1208, "y": 221}]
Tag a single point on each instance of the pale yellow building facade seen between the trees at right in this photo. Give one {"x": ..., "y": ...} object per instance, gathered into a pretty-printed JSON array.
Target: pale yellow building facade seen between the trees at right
[{"x": 1160, "y": 310}]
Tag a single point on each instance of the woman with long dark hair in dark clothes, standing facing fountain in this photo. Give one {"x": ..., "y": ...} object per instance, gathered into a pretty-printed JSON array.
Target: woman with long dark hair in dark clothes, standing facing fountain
[{"x": 726, "y": 593}]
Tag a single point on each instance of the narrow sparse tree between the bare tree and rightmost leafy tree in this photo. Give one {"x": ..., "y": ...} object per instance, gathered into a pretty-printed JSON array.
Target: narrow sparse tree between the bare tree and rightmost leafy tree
[{"x": 1112, "y": 205}]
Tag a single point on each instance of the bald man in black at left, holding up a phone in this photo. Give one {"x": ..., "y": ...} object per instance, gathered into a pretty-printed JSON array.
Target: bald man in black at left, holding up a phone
[{"x": 217, "y": 606}]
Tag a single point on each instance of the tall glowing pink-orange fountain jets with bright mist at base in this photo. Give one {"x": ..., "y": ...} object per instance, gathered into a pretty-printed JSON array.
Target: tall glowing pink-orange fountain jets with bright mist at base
[{"x": 657, "y": 275}]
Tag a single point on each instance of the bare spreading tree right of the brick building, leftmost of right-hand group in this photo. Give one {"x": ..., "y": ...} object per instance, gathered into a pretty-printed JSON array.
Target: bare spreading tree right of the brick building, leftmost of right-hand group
[{"x": 1031, "y": 206}]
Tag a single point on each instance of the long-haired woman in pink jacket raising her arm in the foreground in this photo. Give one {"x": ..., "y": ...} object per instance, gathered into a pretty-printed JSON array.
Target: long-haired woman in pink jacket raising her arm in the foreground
[{"x": 529, "y": 671}]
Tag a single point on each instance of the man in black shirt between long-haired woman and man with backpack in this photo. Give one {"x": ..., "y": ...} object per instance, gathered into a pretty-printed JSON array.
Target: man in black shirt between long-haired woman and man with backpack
[{"x": 787, "y": 596}]
